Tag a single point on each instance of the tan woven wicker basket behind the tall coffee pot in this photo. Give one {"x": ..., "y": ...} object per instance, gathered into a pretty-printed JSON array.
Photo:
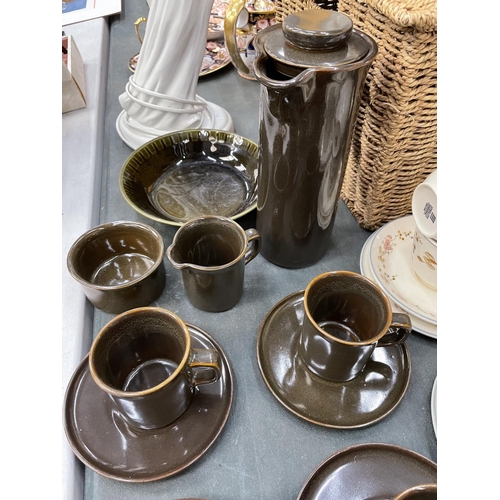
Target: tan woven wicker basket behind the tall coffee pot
[{"x": 394, "y": 144}]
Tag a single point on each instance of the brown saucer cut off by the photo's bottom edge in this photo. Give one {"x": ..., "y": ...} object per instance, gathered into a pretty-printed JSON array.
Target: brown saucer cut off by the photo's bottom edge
[{"x": 368, "y": 472}]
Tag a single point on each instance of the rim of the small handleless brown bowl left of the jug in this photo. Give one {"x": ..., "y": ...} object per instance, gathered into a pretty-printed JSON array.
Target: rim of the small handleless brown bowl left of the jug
[{"x": 108, "y": 225}]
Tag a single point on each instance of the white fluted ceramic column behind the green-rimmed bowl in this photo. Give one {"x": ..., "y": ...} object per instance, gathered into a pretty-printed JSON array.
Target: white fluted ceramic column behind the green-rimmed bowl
[{"x": 160, "y": 97}]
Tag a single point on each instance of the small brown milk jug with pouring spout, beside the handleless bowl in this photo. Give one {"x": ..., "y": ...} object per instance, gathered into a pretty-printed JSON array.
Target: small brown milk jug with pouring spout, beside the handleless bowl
[{"x": 212, "y": 252}]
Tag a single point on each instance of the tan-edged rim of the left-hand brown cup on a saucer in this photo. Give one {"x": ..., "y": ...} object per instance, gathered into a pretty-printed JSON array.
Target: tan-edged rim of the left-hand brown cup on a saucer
[{"x": 140, "y": 310}]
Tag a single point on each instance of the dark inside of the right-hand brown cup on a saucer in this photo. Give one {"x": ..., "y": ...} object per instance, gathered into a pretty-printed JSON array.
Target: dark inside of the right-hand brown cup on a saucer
[{"x": 347, "y": 307}]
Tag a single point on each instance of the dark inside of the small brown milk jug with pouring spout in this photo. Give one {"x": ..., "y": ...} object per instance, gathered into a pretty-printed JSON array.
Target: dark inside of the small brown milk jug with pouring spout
[{"x": 208, "y": 243}]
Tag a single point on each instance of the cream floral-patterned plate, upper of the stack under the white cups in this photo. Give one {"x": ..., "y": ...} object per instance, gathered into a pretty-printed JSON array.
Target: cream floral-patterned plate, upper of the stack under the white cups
[{"x": 392, "y": 267}]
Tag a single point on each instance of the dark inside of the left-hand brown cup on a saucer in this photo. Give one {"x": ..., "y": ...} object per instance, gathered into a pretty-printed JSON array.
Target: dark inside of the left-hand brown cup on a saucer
[{"x": 139, "y": 350}]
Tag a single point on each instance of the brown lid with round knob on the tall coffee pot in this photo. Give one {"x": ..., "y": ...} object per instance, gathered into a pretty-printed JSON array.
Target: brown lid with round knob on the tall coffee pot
[{"x": 316, "y": 38}]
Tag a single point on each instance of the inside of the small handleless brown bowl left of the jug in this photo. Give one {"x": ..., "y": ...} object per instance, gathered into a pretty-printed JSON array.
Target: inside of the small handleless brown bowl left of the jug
[{"x": 115, "y": 254}]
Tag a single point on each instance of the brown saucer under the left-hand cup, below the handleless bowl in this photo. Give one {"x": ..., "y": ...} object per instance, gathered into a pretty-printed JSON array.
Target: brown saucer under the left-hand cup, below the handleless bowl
[{"x": 103, "y": 441}]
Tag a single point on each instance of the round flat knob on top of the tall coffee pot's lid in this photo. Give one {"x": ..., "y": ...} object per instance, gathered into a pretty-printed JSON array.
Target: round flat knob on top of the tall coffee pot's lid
[{"x": 317, "y": 29}]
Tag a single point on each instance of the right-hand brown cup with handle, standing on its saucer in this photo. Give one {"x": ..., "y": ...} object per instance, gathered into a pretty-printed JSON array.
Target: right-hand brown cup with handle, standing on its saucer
[{"x": 346, "y": 316}]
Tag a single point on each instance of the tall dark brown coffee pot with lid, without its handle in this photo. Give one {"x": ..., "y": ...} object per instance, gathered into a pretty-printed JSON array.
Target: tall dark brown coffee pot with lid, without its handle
[{"x": 312, "y": 68}]
